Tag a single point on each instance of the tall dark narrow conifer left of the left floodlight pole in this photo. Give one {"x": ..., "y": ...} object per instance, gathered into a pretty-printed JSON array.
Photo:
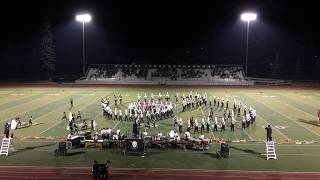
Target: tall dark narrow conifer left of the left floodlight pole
[{"x": 47, "y": 50}]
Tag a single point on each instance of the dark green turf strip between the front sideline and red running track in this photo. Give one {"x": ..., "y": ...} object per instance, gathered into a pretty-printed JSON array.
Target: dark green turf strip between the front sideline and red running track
[{"x": 243, "y": 157}]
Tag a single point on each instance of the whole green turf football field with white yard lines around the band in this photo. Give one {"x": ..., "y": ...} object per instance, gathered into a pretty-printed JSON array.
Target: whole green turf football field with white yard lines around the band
[{"x": 293, "y": 110}]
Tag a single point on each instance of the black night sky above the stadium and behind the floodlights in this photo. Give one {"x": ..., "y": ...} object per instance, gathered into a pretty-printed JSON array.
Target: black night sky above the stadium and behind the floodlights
[{"x": 162, "y": 31}]
